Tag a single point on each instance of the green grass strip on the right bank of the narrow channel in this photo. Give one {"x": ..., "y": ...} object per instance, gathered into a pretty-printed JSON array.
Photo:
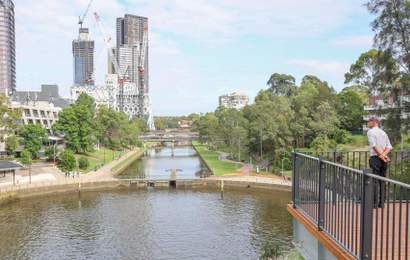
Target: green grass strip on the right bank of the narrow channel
[{"x": 218, "y": 167}]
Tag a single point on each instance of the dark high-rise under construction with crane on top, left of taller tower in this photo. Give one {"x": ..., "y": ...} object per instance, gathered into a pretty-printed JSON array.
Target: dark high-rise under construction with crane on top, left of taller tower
[{"x": 83, "y": 53}]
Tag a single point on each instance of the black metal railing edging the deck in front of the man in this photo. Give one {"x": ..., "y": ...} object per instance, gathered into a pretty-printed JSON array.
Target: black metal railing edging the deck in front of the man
[{"x": 365, "y": 214}]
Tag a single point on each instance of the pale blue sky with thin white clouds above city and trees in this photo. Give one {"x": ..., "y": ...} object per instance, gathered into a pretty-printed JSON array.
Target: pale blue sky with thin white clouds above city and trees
[{"x": 199, "y": 49}]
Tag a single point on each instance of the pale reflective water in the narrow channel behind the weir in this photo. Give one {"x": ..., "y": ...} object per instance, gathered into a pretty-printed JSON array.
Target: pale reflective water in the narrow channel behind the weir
[{"x": 158, "y": 163}]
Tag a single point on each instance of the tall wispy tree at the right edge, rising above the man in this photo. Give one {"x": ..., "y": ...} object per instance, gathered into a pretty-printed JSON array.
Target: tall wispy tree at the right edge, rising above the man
[{"x": 392, "y": 28}]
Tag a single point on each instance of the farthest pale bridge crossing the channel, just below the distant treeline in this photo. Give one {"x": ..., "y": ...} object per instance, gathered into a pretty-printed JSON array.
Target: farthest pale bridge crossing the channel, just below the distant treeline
[{"x": 169, "y": 136}]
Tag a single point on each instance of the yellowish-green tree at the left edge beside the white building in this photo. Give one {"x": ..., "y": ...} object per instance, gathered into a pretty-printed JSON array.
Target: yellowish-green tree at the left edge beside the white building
[{"x": 9, "y": 118}]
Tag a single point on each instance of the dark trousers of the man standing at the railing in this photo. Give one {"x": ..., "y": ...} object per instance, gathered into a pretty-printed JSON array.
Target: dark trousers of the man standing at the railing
[{"x": 379, "y": 168}]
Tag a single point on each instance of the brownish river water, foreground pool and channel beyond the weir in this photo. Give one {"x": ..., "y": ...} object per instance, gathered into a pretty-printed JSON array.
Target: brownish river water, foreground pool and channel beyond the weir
[{"x": 149, "y": 223}]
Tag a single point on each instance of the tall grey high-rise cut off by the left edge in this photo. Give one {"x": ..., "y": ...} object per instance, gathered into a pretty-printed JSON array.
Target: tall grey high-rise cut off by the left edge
[{"x": 7, "y": 48}]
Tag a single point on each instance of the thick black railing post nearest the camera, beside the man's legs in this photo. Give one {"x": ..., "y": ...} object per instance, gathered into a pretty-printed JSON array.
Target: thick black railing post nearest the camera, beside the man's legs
[{"x": 366, "y": 218}]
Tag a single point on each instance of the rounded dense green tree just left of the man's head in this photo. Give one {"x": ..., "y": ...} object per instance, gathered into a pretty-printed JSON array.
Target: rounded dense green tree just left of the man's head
[{"x": 350, "y": 111}]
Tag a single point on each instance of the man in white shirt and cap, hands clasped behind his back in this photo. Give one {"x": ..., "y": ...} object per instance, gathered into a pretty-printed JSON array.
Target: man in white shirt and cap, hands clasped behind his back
[{"x": 380, "y": 147}]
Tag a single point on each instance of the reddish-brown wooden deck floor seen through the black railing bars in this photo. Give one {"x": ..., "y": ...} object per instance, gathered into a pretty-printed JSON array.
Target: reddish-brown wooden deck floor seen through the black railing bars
[{"x": 391, "y": 238}]
